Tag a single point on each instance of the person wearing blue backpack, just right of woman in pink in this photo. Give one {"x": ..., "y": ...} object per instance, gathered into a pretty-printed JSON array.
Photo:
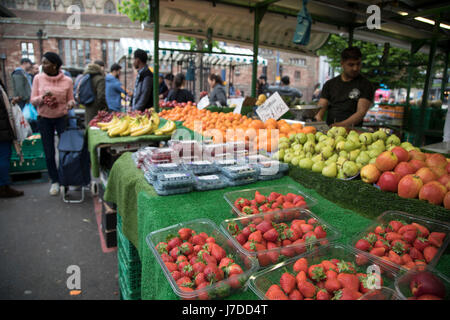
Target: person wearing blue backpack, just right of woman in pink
[{"x": 97, "y": 78}]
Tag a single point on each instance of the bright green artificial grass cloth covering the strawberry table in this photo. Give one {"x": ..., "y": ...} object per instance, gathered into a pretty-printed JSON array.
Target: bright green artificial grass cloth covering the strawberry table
[{"x": 142, "y": 212}]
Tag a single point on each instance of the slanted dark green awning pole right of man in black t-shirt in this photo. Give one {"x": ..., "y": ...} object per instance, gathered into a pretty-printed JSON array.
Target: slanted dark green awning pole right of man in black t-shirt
[{"x": 420, "y": 132}]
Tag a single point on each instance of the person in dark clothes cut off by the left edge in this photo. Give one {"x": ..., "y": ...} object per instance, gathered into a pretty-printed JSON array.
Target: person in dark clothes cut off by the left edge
[{"x": 7, "y": 136}]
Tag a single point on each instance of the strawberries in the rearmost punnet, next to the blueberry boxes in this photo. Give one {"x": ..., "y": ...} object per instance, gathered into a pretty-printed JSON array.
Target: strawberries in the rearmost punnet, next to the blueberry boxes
[{"x": 274, "y": 202}]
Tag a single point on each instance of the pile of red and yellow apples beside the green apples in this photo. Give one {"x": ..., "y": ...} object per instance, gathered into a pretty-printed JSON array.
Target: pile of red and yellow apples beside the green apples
[{"x": 412, "y": 174}]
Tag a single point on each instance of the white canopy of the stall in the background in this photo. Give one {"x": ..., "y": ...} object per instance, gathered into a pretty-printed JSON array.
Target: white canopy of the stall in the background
[{"x": 233, "y": 56}]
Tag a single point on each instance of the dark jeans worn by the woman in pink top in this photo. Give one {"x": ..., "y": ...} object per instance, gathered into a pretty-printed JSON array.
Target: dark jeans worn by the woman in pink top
[{"x": 47, "y": 127}]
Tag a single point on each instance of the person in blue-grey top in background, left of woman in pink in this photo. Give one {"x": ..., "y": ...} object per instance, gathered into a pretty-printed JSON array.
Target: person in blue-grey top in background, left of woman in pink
[{"x": 21, "y": 81}]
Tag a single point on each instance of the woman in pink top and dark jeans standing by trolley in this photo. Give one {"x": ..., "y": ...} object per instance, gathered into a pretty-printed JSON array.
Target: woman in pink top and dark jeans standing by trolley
[{"x": 52, "y": 94}]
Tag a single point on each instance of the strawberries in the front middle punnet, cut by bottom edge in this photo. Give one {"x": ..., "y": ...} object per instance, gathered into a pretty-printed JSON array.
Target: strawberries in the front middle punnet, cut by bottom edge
[{"x": 332, "y": 279}]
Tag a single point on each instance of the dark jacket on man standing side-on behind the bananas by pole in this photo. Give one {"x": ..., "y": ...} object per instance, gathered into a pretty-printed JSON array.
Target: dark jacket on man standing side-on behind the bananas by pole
[{"x": 143, "y": 92}]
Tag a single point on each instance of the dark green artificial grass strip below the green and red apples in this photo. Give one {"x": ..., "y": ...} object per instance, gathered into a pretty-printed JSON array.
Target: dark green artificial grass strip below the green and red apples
[{"x": 365, "y": 198}]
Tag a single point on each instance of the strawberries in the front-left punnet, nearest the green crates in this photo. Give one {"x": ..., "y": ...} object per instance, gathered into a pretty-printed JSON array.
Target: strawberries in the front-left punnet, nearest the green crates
[{"x": 195, "y": 261}]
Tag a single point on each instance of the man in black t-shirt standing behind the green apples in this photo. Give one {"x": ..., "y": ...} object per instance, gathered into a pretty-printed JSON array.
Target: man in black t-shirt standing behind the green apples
[{"x": 347, "y": 97}]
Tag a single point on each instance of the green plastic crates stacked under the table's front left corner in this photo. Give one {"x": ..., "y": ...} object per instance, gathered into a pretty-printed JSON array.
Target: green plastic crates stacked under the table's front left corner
[{"x": 129, "y": 266}]
